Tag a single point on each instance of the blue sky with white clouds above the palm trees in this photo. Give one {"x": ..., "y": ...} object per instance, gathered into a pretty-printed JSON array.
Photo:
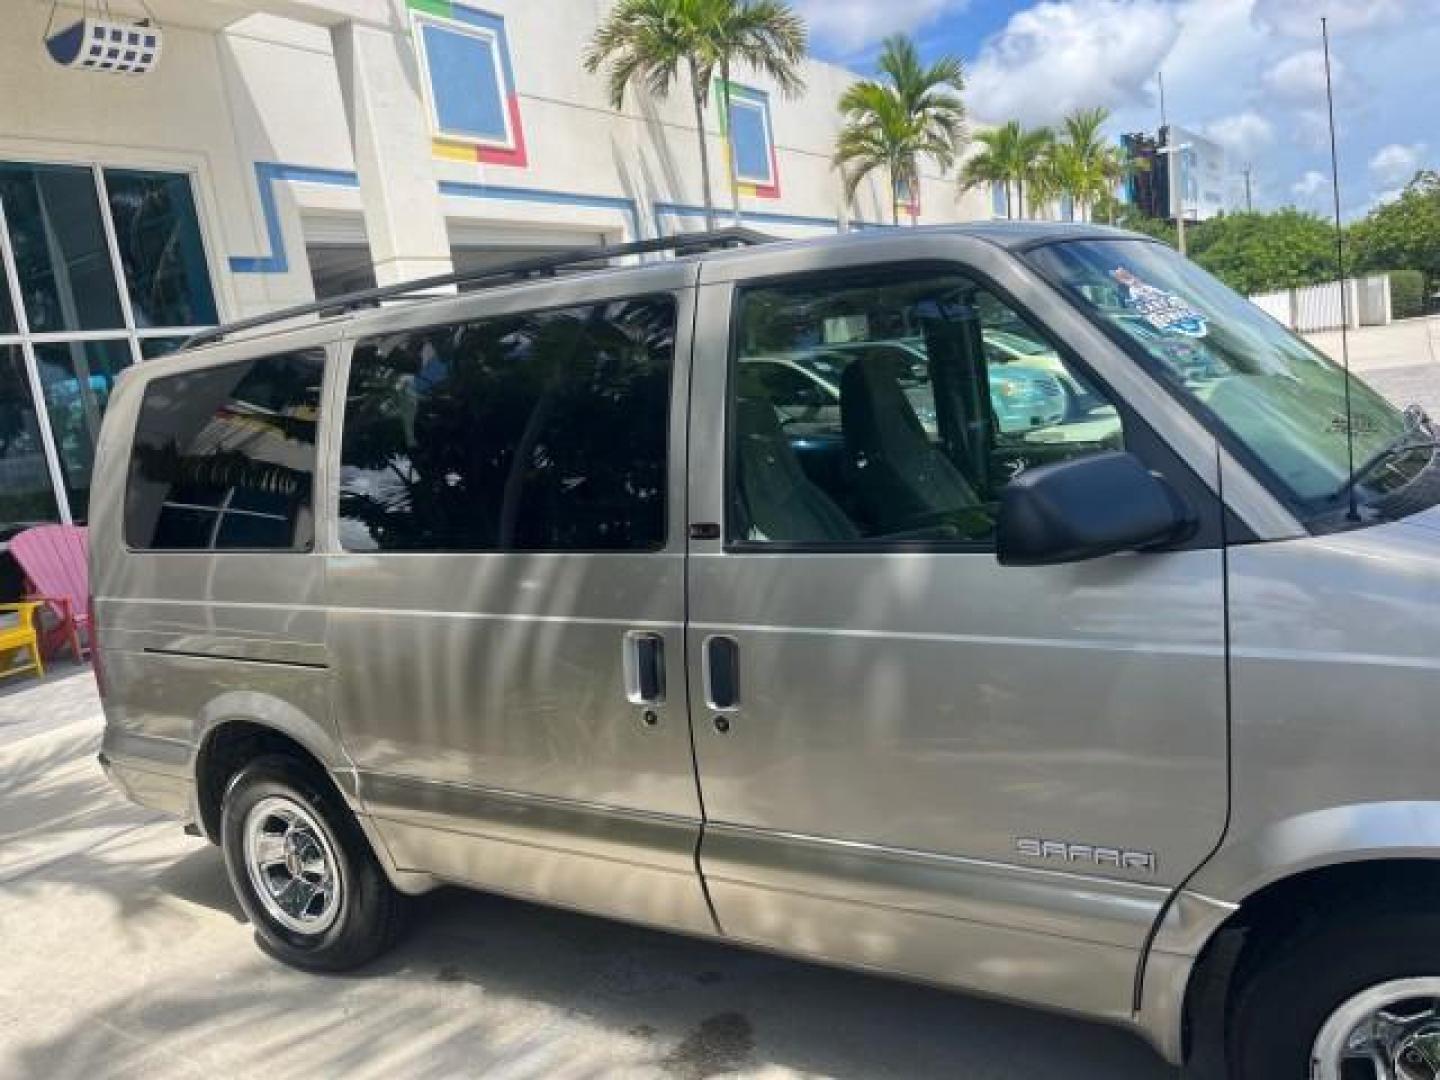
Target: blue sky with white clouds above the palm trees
[{"x": 1245, "y": 73}]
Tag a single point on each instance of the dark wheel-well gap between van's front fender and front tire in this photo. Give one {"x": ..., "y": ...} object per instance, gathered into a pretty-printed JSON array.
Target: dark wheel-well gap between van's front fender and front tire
[{"x": 1277, "y": 915}]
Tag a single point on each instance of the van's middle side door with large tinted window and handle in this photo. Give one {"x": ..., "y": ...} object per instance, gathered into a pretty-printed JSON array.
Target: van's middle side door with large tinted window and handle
[{"x": 508, "y": 588}]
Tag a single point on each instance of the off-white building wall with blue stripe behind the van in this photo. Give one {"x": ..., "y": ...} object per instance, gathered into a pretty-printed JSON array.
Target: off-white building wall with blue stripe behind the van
[{"x": 257, "y": 106}]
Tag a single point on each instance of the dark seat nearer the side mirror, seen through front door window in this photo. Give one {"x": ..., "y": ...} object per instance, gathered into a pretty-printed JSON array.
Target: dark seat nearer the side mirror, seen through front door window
[{"x": 901, "y": 474}]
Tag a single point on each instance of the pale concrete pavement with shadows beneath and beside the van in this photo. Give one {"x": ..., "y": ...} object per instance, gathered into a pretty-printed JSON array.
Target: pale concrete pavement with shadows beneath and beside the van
[{"x": 123, "y": 954}]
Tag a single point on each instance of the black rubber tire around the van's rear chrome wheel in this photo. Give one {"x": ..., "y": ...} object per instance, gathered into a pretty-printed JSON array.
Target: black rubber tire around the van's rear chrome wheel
[{"x": 369, "y": 915}]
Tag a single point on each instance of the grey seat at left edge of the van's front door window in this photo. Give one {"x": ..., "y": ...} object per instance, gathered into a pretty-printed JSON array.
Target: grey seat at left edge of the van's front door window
[{"x": 780, "y": 500}]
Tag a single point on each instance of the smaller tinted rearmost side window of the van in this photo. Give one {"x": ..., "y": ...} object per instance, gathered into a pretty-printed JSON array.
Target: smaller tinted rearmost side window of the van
[{"x": 225, "y": 459}]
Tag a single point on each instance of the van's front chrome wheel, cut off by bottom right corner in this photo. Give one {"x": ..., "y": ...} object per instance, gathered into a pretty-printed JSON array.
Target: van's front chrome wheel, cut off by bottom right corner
[{"x": 1390, "y": 1032}]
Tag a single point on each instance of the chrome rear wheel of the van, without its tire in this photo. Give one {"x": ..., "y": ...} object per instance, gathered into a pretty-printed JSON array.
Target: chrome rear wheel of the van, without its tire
[{"x": 293, "y": 866}]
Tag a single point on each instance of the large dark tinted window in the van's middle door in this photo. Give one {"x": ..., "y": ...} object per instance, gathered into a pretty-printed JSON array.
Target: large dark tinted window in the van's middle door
[{"x": 532, "y": 433}]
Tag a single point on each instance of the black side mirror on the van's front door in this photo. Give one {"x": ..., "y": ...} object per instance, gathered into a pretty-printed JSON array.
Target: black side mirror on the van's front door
[{"x": 1086, "y": 509}]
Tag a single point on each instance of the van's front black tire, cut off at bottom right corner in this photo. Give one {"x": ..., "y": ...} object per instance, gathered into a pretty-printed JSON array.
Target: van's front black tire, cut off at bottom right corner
[{"x": 1287, "y": 993}]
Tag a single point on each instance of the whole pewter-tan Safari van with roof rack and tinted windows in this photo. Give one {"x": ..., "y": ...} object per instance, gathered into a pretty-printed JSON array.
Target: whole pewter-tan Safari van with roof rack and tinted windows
[{"x": 1128, "y": 706}]
